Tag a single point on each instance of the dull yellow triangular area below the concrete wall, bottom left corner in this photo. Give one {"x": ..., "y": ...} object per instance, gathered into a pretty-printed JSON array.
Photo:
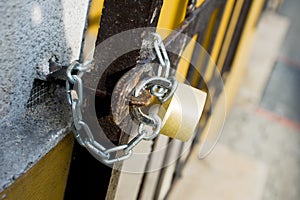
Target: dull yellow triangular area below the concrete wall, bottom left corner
[{"x": 47, "y": 178}]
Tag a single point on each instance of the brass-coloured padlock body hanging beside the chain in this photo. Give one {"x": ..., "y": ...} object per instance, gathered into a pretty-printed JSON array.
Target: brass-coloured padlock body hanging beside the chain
[{"x": 181, "y": 114}]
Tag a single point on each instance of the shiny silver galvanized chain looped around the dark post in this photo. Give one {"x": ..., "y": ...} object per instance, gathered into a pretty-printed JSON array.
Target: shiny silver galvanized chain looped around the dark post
[{"x": 161, "y": 87}]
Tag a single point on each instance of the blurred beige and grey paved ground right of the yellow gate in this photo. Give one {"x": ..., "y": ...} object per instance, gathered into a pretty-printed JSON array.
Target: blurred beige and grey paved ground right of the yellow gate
[{"x": 258, "y": 157}]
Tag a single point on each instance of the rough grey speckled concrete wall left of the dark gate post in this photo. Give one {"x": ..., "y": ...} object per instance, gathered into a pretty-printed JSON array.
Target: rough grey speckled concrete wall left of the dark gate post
[{"x": 31, "y": 32}]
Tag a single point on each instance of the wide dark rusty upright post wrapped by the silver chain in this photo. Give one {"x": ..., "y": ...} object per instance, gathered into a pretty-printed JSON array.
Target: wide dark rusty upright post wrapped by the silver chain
[{"x": 117, "y": 16}]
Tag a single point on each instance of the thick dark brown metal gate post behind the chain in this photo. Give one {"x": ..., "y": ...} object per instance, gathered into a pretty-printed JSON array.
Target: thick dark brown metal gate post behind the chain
[{"x": 88, "y": 178}]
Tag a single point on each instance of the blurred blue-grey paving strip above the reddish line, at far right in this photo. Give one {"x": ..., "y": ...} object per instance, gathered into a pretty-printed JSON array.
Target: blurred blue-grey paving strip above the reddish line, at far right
[{"x": 286, "y": 73}]
